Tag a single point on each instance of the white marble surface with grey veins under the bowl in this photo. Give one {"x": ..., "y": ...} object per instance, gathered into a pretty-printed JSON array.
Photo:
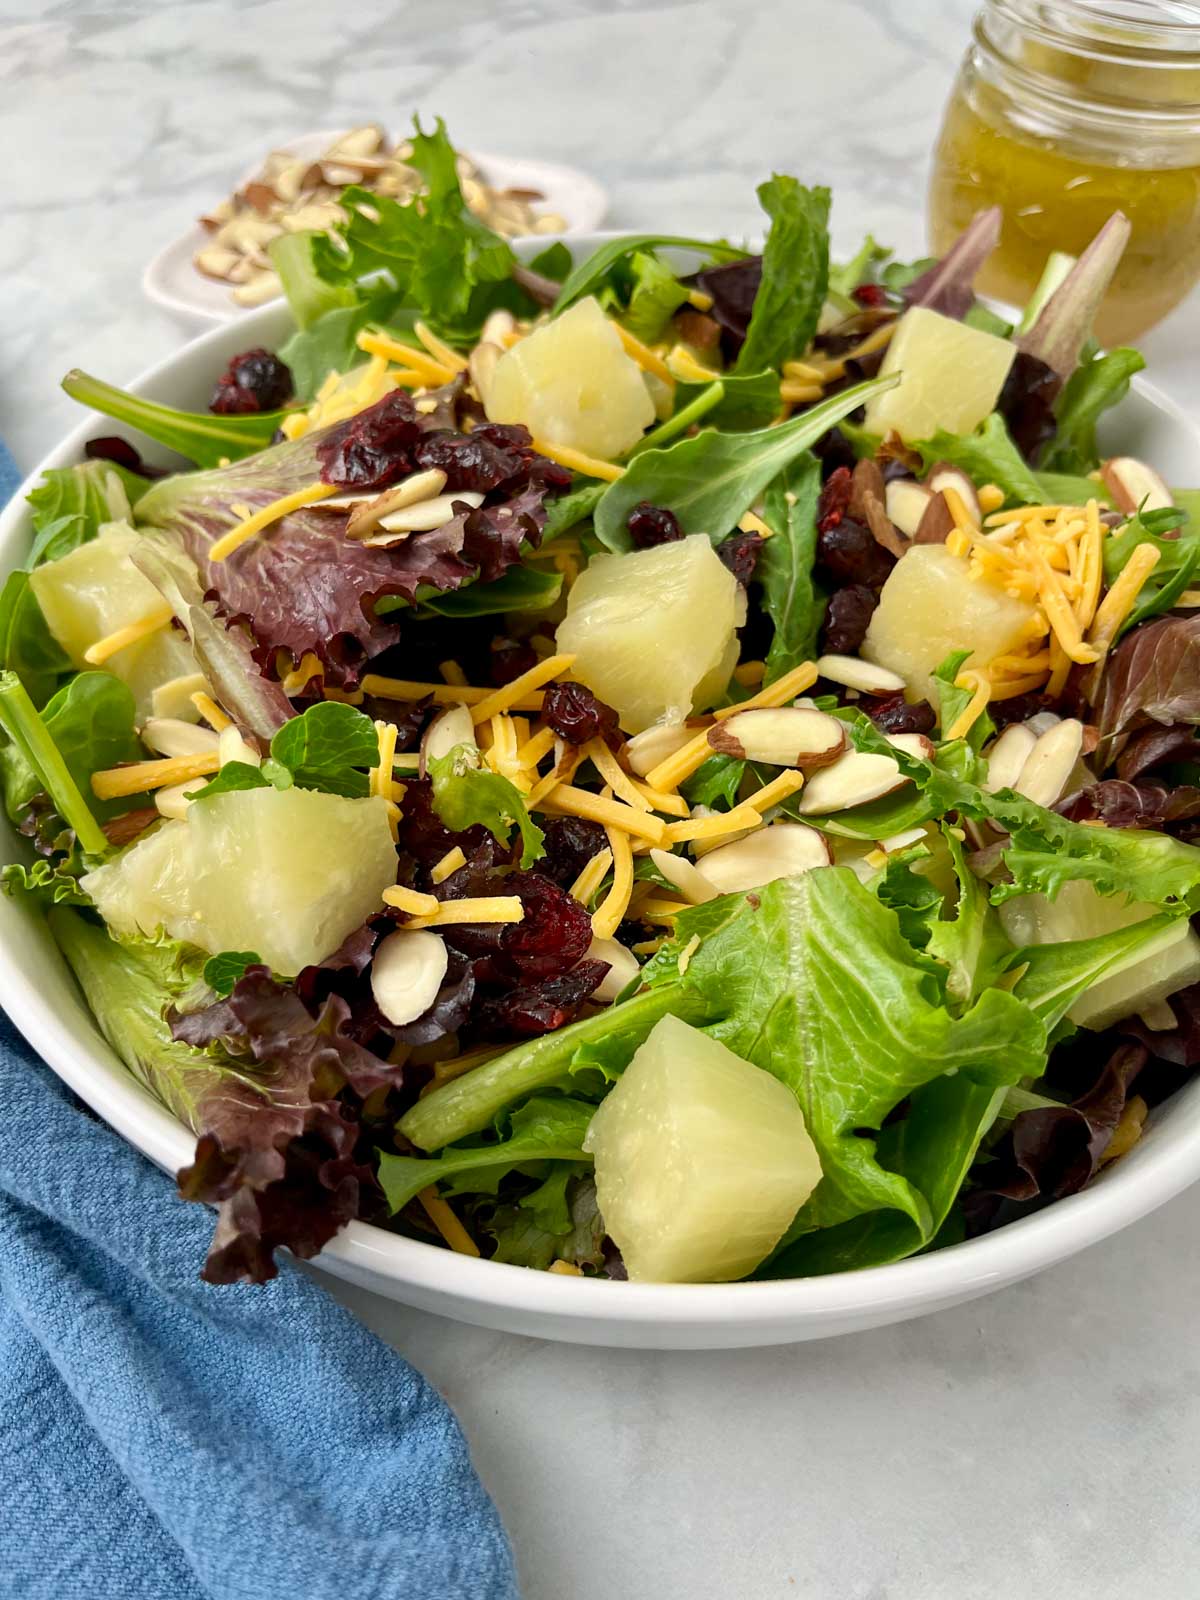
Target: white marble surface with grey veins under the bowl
[{"x": 1036, "y": 1444}]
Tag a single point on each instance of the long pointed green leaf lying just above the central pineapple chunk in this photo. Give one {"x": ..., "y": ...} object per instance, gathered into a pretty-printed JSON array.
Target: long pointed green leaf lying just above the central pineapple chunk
[{"x": 713, "y": 479}]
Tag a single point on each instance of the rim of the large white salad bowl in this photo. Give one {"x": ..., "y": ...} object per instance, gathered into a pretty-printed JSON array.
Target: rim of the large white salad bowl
[{"x": 369, "y": 1255}]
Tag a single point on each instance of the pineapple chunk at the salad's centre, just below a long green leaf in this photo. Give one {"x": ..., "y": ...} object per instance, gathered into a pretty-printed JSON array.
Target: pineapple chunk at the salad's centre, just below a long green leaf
[{"x": 654, "y": 631}]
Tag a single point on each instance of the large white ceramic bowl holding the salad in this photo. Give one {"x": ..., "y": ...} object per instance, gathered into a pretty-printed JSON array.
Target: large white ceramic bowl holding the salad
[{"x": 41, "y": 996}]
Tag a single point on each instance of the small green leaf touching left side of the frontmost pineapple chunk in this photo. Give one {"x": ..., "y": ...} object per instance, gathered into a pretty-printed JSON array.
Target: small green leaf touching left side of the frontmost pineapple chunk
[{"x": 545, "y": 1129}]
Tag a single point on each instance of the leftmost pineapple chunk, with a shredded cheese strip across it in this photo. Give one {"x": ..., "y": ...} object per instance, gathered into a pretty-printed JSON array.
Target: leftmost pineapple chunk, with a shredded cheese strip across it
[{"x": 97, "y": 590}]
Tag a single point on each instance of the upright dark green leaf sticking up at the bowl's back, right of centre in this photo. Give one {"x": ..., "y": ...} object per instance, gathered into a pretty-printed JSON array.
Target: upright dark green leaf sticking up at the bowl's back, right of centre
[{"x": 794, "y": 279}]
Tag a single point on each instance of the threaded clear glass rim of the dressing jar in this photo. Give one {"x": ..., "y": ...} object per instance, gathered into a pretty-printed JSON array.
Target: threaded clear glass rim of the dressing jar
[{"x": 1140, "y": 36}]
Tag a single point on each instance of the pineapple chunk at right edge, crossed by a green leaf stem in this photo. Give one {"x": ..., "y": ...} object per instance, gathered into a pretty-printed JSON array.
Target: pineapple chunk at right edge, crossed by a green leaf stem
[{"x": 1079, "y": 913}]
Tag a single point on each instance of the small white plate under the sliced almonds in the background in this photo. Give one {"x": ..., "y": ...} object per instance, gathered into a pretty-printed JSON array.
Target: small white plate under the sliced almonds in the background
[{"x": 172, "y": 281}]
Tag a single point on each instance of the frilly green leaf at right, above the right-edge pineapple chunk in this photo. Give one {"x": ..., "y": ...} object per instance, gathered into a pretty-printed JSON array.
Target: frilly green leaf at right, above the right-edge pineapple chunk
[{"x": 1046, "y": 850}]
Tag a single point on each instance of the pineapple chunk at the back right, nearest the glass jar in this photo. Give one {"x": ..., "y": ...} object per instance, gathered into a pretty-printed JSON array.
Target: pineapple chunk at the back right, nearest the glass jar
[{"x": 953, "y": 377}]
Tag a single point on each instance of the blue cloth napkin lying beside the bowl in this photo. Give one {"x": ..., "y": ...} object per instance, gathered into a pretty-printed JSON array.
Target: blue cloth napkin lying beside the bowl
[{"x": 162, "y": 1438}]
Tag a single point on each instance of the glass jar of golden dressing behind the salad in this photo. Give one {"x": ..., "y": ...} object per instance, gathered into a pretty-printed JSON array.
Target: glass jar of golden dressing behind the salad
[{"x": 1066, "y": 111}]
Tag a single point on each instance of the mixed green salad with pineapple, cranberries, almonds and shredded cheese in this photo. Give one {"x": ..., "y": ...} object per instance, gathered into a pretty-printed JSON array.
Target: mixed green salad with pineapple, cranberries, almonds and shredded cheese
[{"x": 676, "y": 766}]
